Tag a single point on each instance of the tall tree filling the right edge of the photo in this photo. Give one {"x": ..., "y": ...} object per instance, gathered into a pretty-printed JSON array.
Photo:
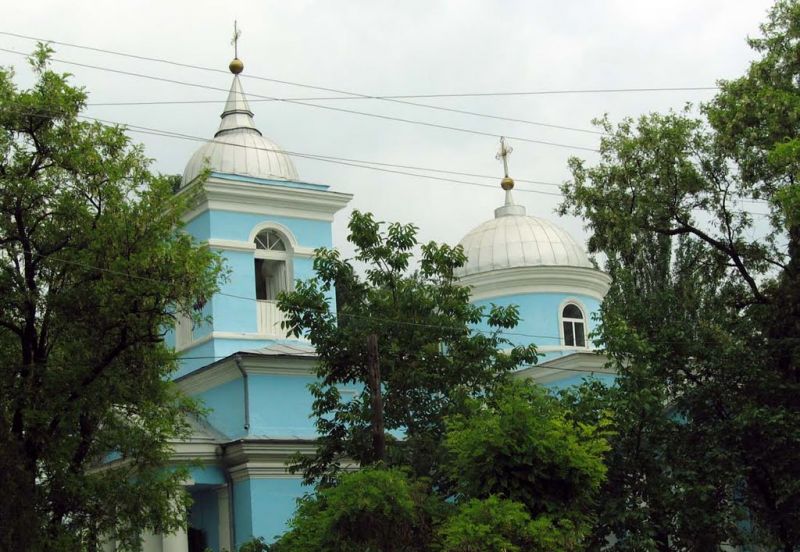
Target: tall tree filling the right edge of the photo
[{"x": 703, "y": 318}]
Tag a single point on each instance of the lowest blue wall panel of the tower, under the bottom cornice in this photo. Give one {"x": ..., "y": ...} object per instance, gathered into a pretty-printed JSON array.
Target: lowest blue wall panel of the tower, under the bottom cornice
[{"x": 263, "y": 506}]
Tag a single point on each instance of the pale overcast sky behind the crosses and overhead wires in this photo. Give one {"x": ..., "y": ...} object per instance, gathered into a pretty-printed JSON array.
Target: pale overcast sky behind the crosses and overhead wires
[{"x": 394, "y": 48}]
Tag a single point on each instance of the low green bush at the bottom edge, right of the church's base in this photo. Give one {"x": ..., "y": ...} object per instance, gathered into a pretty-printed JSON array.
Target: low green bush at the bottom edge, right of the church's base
[{"x": 371, "y": 510}]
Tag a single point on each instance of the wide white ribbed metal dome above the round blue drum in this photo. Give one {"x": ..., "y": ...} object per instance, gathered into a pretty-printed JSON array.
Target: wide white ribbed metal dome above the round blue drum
[{"x": 513, "y": 239}]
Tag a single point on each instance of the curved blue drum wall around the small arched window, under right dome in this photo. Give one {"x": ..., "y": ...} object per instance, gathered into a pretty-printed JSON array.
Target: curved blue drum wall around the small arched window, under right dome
[{"x": 539, "y": 316}]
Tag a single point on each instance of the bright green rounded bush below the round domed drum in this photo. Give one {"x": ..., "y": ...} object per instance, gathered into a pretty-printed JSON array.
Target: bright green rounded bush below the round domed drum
[{"x": 519, "y": 444}]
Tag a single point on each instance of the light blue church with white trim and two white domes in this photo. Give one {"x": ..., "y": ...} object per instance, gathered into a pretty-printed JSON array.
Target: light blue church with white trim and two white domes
[{"x": 257, "y": 211}]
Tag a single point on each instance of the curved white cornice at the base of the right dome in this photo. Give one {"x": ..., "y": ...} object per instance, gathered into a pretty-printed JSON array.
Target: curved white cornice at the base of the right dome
[{"x": 538, "y": 279}]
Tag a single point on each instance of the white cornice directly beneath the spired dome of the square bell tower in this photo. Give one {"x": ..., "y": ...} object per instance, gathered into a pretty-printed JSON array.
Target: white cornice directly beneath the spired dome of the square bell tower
[{"x": 244, "y": 197}]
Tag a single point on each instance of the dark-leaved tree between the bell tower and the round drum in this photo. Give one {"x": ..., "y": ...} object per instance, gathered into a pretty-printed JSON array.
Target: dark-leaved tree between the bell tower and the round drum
[{"x": 428, "y": 354}]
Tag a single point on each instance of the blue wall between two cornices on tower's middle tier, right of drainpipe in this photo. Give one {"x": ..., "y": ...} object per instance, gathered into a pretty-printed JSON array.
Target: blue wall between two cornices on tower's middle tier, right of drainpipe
[{"x": 280, "y": 406}]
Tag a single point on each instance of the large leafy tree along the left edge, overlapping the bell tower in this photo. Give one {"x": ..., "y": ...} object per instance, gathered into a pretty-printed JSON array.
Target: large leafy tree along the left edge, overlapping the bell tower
[{"x": 93, "y": 265}]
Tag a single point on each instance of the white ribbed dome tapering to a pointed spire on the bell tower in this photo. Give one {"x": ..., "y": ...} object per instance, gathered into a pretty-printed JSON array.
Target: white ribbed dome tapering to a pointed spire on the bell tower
[{"x": 238, "y": 146}]
